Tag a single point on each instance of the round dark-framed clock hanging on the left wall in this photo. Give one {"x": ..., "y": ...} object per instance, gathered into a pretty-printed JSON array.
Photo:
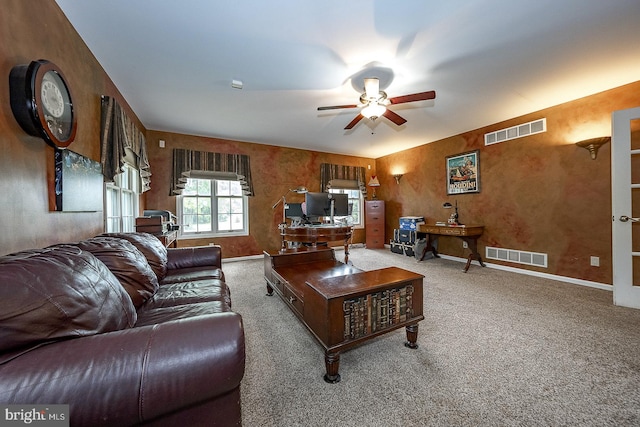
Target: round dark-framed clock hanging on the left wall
[{"x": 41, "y": 102}]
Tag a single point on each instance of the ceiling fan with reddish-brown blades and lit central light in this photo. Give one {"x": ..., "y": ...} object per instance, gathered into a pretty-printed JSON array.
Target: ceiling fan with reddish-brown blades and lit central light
[{"x": 374, "y": 103}]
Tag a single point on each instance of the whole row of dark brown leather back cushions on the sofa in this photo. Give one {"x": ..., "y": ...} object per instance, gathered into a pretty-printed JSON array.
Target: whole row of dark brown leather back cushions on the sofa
[{"x": 73, "y": 290}]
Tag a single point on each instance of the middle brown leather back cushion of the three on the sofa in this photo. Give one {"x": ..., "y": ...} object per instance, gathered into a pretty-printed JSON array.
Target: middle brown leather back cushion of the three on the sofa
[{"x": 127, "y": 263}]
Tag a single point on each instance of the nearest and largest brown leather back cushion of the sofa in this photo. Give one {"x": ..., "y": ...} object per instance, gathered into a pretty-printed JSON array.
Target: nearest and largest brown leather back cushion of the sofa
[{"x": 58, "y": 292}]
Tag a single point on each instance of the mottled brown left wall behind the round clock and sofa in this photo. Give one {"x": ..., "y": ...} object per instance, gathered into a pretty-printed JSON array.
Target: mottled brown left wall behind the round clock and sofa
[{"x": 31, "y": 30}]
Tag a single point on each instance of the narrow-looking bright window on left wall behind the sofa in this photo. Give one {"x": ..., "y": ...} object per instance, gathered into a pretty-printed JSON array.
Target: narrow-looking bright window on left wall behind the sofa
[{"x": 121, "y": 201}]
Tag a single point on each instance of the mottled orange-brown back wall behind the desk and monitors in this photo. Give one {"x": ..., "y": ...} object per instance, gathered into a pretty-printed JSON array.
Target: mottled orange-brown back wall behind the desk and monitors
[{"x": 275, "y": 170}]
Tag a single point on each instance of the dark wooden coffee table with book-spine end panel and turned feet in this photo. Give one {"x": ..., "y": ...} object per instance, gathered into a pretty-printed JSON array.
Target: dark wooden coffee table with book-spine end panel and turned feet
[{"x": 341, "y": 305}]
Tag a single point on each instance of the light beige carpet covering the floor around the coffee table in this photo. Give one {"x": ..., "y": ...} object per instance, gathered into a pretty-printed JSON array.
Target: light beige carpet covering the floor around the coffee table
[{"x": 496, "y": 349}]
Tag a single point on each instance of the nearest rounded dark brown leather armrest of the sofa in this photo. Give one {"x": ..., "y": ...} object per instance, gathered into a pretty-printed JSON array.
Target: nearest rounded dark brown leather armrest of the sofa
[{"x": 134, "y": 375}]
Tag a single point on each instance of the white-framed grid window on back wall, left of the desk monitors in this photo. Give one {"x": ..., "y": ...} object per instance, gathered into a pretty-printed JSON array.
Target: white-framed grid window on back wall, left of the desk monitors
[{"x": 212, "y": 207}]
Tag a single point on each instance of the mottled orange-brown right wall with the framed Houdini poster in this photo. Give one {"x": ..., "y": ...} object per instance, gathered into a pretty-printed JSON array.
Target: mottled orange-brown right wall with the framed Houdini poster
[{"x": 540, "y": 193}]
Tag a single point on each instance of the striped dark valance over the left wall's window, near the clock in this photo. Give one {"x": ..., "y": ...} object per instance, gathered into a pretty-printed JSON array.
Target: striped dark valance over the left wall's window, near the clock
[{"x": 118, "y": 134}]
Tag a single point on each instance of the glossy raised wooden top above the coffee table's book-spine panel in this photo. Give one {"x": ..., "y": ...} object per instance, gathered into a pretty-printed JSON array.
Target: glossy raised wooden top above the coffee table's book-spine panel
[{"x": 362, "y": 282}]
